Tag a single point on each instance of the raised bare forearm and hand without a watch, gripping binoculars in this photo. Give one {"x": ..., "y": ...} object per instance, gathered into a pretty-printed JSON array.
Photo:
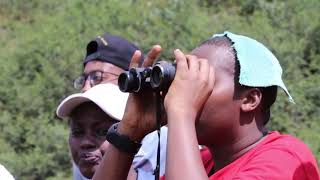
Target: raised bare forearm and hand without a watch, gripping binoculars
[{"x": 184, "y": 101}]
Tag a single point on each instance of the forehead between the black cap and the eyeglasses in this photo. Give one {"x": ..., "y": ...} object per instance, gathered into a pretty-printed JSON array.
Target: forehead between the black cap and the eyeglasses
[{"x": 97, "y": 65}]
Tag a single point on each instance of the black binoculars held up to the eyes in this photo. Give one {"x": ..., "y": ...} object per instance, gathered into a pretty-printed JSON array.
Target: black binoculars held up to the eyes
[{"x": 156, "y": 78}]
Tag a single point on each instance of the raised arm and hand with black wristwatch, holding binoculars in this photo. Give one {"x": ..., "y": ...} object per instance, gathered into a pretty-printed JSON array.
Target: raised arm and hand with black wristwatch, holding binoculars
[{"x": 138, "y": 121}]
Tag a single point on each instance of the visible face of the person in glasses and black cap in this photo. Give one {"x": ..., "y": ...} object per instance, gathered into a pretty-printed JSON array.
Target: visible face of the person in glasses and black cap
[{"x": 110, "y": 75}]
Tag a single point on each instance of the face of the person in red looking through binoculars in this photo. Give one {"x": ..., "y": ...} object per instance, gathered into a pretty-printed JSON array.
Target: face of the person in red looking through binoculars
[{"x": 221, "y": 112}]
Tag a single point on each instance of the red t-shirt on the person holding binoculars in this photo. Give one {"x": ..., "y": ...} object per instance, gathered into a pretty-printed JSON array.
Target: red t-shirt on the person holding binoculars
[{"x": 278, "y": 157}]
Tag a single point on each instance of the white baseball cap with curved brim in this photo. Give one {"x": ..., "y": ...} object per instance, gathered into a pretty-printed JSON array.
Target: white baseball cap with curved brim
[{"x": 107, "y": 96}]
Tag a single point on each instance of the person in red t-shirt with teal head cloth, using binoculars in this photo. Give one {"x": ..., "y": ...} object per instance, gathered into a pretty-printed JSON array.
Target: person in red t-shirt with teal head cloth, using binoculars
[{"x": 220, "y": 97}]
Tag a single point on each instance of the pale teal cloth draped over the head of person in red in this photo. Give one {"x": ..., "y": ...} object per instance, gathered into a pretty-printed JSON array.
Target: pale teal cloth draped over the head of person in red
[{"x": 258, "y": 66}]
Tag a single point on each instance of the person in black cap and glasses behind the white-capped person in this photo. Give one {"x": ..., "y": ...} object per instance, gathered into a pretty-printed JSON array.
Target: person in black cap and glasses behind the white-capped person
[{"x": 106, "y": 57}]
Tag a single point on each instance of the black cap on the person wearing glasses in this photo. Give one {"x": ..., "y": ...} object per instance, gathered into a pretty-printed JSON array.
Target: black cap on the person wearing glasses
[{"x": 111, "y": 49}]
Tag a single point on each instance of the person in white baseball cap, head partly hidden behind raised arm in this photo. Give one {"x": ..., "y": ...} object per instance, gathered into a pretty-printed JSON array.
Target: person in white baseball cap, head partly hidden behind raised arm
[{"x": 90, "y": 115}]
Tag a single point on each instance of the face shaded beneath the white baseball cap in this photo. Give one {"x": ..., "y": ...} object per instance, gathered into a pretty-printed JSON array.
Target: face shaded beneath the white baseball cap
[{"x": 87, "y": 138}]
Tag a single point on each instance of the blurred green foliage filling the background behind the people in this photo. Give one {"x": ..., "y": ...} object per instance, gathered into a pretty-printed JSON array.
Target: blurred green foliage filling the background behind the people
[{"x": 43, "y": 43}]
